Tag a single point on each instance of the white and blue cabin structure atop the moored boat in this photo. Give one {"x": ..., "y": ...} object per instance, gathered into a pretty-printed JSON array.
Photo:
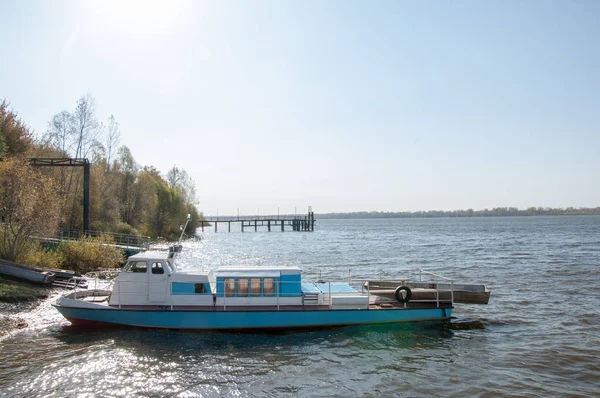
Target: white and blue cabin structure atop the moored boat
[{"x": 151, "y": 279}]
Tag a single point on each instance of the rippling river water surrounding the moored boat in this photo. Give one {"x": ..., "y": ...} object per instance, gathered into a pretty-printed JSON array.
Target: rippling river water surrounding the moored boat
[{"x": 539, "y": 336}]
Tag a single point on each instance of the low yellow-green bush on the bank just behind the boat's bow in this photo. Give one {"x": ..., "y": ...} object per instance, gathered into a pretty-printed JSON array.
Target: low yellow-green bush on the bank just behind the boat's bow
[{"x": 89, "y": 254}]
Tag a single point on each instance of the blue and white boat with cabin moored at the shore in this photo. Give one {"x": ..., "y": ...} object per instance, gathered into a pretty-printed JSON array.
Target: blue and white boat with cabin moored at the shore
[{"x": 151, "y": 292}]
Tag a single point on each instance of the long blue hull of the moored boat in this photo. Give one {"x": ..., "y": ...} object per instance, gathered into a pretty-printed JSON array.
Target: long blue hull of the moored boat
[{"x": 212, "y": 320}]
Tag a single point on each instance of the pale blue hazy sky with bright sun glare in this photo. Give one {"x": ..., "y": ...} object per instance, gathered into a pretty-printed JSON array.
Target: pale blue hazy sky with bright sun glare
[{"x": 274, "y": 106}]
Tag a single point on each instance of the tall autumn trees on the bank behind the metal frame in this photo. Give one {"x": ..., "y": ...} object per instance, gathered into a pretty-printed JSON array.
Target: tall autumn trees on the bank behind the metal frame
[{"x": 123, "y": 196}]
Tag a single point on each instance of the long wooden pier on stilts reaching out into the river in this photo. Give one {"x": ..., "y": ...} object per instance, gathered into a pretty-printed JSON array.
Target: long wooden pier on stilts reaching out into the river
[{"x": 295, "y": 223}]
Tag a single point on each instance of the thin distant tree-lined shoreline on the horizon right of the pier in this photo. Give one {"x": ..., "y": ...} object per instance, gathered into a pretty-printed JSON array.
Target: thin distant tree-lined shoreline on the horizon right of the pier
[{"x": 495, "y": 212}]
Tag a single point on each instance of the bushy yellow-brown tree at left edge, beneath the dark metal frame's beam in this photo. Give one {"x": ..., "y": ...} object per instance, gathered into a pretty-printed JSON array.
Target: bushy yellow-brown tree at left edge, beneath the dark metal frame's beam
[{"x": 29, "y": 206}]
